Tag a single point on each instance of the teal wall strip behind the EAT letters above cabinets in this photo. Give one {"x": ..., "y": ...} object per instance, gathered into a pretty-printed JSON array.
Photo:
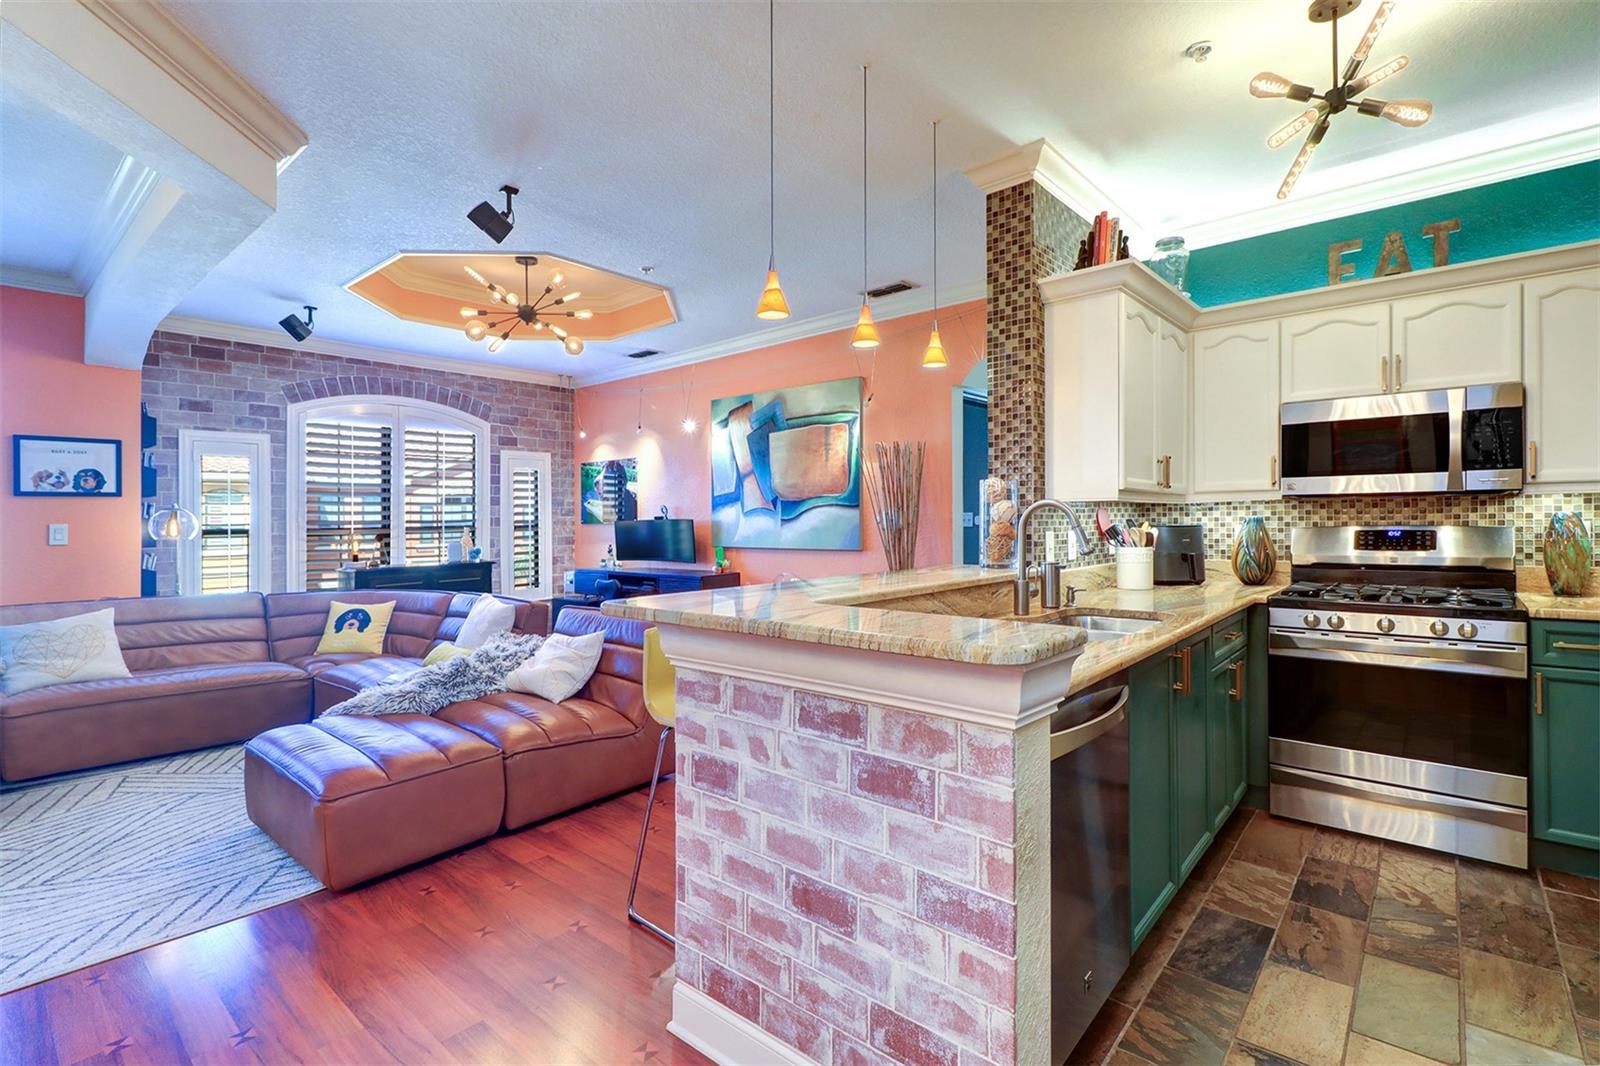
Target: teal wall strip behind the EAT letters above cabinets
[{"x": 1559, "y": 207}]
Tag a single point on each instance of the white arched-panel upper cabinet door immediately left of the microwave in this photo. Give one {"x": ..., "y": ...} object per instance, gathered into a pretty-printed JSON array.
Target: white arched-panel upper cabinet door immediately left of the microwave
[{"x": 1236, "y": 443}]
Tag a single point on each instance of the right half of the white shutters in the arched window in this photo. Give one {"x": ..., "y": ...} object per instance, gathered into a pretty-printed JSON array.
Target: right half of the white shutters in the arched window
[{"x": 441, "y": 492}]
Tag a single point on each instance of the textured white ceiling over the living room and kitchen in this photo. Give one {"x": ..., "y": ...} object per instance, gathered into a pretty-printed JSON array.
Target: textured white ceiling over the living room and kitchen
[{"x": 639, "y": 134}]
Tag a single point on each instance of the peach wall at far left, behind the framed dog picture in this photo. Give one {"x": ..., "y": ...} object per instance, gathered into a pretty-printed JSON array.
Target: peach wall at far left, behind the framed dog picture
[{"x": 47, "y": 388}]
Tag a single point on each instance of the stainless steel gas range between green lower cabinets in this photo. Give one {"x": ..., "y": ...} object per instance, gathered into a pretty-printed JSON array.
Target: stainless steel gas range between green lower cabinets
[{"x": 1399, "y": 687}]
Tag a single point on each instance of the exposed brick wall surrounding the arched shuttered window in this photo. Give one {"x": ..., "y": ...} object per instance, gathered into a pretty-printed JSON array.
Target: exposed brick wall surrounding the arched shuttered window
[{"x": 204, "y": 383}]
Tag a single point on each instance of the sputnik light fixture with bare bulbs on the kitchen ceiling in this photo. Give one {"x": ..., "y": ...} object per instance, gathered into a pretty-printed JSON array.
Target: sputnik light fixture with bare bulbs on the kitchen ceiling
[{"x": 1268, "y": 86}]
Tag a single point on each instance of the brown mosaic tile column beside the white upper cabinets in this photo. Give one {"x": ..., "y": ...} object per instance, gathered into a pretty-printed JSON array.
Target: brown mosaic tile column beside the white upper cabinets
[{"x": 1031, "y": 236}]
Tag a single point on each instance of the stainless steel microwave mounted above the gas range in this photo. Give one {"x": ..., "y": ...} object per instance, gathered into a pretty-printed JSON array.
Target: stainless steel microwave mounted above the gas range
[{"x": 1438, "y": 441}]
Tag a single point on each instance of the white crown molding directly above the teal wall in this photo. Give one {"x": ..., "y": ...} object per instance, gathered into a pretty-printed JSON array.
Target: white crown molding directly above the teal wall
[{"x": 1518, "y": 161}]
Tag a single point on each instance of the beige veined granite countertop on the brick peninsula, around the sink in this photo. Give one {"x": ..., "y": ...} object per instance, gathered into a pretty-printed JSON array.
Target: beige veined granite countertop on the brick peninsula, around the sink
[{"x": 871, "y": 612}]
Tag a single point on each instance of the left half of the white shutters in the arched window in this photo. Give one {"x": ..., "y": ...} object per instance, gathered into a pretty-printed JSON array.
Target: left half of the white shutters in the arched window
[{"x": 348, "y": 497}]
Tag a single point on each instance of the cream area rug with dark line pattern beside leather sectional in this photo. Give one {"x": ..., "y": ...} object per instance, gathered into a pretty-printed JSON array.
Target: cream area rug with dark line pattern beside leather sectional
[{"x": 100, "y": 864}]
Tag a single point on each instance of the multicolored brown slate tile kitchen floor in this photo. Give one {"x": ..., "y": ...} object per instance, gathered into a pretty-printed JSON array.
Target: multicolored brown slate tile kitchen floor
[{"x": 1303, "y": 945}]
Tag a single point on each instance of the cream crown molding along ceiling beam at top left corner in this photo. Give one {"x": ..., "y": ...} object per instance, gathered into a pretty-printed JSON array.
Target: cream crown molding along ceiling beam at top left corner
[{"x": 164, "y": 41}]
